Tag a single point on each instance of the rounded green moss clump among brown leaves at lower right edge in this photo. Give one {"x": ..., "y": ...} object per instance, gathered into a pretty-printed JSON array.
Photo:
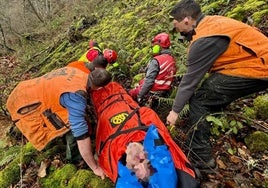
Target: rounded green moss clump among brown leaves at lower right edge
[{"x": 258, "y": 141}]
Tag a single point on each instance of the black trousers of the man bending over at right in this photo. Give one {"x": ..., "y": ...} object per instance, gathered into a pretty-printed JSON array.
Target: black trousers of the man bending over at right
[{"x": 215, "y": 93}]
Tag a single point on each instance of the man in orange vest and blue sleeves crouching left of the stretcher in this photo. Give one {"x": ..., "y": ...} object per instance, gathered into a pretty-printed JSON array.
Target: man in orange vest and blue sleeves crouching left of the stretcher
[{"x": 49, "y": 106}]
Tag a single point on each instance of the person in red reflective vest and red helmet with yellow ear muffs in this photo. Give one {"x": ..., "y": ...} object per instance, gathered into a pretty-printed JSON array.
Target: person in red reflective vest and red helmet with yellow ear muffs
[{"x": 160, "y": 71}]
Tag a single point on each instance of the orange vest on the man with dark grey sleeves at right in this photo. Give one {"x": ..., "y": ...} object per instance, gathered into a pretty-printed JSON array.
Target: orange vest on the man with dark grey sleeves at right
[{"x": 237, "y": 60}]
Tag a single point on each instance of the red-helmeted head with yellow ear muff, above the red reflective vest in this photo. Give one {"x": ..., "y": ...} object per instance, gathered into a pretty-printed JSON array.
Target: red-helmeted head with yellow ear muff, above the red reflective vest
[{"x": 159, "y": 42}]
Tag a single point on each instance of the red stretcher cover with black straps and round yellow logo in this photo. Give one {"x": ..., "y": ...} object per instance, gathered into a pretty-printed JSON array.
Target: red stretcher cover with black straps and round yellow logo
[{"x": 116, "y": 108}]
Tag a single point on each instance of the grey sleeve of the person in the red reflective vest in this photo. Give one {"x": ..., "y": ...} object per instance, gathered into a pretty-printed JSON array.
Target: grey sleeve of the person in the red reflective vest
[{"x": 151, "y": 73}]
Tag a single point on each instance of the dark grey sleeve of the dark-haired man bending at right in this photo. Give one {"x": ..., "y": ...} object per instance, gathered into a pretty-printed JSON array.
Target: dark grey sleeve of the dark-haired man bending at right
[{"x": 201, "y": 57}]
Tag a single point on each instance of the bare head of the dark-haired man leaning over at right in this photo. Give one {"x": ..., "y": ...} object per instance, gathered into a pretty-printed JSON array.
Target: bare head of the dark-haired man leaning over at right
[{"x": 184, "y": 15}]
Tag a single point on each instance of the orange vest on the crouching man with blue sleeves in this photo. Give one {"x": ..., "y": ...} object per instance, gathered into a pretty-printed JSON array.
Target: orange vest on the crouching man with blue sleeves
[{"x": 34, "y": 105}]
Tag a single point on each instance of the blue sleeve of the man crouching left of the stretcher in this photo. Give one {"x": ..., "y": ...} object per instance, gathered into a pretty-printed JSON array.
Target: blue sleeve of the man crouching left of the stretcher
[{"x": 76, "y": 106}]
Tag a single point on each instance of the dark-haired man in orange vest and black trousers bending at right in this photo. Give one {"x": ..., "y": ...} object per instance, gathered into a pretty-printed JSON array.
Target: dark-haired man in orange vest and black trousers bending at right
[{"x": 236, "y": 57}]
